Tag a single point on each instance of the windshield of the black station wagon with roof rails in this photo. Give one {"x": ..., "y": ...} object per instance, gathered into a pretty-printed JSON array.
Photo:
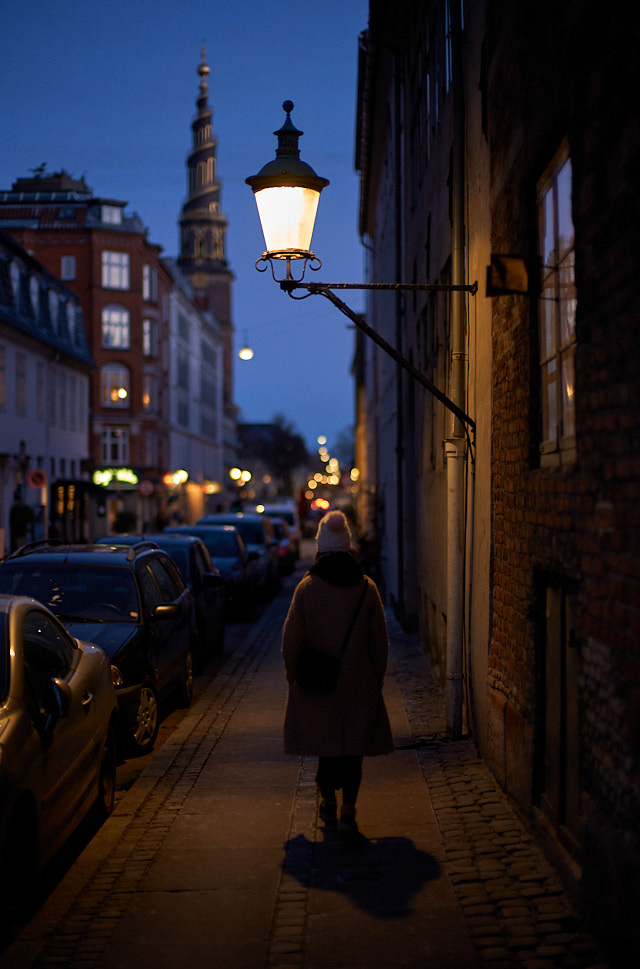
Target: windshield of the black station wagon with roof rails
[{"x": 75, "y": 591}]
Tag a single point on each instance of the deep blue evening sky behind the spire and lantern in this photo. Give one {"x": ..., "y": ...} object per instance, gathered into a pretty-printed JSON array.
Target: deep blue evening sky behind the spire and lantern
[{"x": 107, "y": 91}]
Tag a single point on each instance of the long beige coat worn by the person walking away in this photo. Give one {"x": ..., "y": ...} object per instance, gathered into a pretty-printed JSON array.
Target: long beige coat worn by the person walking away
[{"x": 353, "y": 719}]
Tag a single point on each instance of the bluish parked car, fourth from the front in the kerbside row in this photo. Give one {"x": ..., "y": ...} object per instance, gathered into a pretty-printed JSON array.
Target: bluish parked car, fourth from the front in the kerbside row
[{"x": 229, "y": 554}]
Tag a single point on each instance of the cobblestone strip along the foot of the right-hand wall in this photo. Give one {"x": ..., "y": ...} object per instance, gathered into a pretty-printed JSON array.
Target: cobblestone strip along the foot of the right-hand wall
[{"x": 514, "y": 904}]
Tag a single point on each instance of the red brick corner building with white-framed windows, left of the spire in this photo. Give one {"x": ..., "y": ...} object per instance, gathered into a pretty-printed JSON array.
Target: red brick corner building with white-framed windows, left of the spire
[{"x": 103, "y": 254}]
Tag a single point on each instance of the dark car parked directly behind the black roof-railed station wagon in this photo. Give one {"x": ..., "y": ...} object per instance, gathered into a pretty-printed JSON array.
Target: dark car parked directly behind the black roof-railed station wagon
[{"x": 205, "y": 582}]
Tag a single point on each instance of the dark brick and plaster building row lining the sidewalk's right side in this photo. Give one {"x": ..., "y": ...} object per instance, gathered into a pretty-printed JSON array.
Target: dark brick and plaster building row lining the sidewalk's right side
[{"x": 506, "y": 133}]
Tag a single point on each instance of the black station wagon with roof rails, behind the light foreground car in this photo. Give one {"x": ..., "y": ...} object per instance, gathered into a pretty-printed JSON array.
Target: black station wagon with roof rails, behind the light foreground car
[{"x": 134, "y": 604}]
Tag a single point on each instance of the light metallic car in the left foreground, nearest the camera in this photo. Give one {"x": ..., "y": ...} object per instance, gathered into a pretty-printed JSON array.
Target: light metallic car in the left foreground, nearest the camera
[{"x": 58, "y": 713}]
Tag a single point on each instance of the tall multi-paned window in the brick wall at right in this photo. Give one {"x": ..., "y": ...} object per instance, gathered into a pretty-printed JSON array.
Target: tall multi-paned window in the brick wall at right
[{"x": 557, "y": 312}]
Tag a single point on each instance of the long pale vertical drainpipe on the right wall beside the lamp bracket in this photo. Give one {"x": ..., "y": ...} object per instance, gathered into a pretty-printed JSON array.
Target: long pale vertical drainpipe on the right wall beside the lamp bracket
[{"x": 455, "y": 445}]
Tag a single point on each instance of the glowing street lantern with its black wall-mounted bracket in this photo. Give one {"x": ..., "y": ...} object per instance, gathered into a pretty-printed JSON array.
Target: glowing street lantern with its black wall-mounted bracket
[{"x": 287, "y": 192}]
